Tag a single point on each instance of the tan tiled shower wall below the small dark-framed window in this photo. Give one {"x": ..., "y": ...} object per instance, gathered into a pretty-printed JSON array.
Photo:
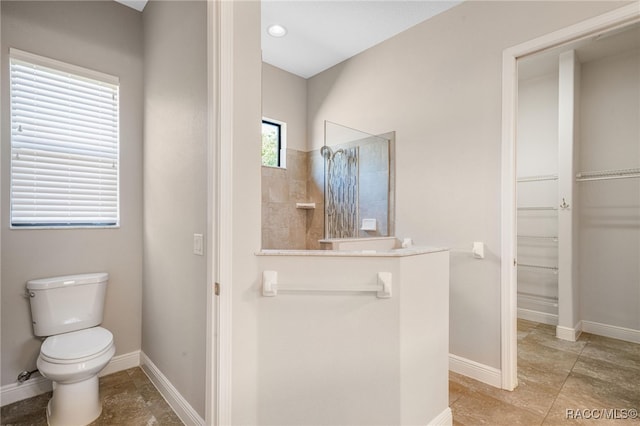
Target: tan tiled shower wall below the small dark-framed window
[{"x": 283, "y": 225}]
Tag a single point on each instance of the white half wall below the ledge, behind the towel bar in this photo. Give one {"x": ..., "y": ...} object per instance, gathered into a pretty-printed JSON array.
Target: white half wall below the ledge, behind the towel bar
[{"x": 337, "y": 359}]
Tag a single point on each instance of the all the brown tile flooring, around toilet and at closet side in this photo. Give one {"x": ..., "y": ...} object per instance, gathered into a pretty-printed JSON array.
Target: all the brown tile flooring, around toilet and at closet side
[{"x": 554, "y": 375}]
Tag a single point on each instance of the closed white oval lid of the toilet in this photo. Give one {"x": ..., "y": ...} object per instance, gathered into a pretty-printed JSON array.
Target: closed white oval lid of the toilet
[{"x": 77, "y": 344}]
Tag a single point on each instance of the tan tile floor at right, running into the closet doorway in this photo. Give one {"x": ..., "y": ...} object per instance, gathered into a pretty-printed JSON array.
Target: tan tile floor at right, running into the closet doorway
[{"x": 555, "y": 376}]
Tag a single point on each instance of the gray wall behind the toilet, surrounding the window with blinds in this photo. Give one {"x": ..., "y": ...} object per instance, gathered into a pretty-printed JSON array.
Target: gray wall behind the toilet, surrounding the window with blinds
[{"x": 107, "y": 37}]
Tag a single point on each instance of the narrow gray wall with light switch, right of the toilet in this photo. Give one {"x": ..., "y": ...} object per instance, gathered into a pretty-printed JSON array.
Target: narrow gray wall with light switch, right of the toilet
[{"x": 175, "y": 196}]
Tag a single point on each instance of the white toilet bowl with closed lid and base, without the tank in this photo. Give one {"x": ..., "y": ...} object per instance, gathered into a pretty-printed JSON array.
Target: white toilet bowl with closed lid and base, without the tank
[{"x": 72, "y": 361}]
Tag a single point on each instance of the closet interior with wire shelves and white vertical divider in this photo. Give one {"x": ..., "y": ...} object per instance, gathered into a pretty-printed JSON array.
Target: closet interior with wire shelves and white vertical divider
[{"x": 578, "y": 168}]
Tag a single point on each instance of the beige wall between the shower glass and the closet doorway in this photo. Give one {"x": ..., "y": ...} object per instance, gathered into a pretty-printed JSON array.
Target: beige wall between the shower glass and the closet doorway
[{"x": 438, "y": 85}]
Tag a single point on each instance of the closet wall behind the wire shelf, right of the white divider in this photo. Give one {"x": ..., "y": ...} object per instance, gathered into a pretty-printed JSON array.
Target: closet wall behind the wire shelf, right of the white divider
[{"x": 610, "y": 210}]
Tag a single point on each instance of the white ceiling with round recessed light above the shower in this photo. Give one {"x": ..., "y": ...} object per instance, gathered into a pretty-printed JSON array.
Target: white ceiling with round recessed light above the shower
[{"x": 323, "y": 33}]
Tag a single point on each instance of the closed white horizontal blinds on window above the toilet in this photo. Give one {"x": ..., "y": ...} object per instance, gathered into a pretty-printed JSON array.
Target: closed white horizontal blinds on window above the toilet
[{"x": 64, "y": 144}]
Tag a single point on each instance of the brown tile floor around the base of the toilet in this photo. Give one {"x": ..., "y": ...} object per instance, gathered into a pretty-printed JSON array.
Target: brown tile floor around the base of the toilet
[{"x": 128, "y": 398}]
